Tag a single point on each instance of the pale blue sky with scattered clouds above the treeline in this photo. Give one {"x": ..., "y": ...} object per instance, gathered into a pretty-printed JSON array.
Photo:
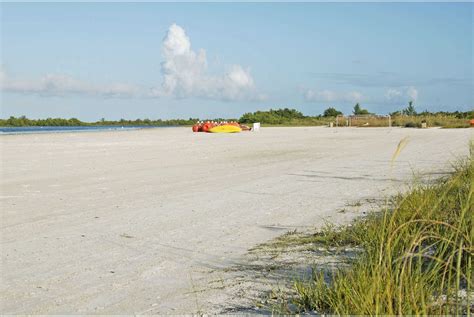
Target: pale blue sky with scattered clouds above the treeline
[{"x": 206, "y": 60}]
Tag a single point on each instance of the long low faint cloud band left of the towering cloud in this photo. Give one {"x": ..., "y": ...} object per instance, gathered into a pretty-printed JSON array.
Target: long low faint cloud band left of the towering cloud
[{"x": 57, "y": 84}]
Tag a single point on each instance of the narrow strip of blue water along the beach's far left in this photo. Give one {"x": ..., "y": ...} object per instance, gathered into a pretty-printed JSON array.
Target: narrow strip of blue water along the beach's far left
[{"x": 29, "y": 130}]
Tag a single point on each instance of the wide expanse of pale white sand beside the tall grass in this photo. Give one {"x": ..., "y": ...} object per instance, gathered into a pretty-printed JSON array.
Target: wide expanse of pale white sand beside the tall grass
[{"x": 131, "y": 222}]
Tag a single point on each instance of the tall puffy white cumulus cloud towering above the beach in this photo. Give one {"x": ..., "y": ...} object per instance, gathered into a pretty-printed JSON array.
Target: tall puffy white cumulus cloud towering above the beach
[{"x": 185, "y": 73}]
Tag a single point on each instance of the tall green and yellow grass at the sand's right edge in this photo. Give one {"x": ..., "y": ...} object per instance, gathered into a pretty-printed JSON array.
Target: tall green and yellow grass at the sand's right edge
[{"x": 414, "y": 259}]
